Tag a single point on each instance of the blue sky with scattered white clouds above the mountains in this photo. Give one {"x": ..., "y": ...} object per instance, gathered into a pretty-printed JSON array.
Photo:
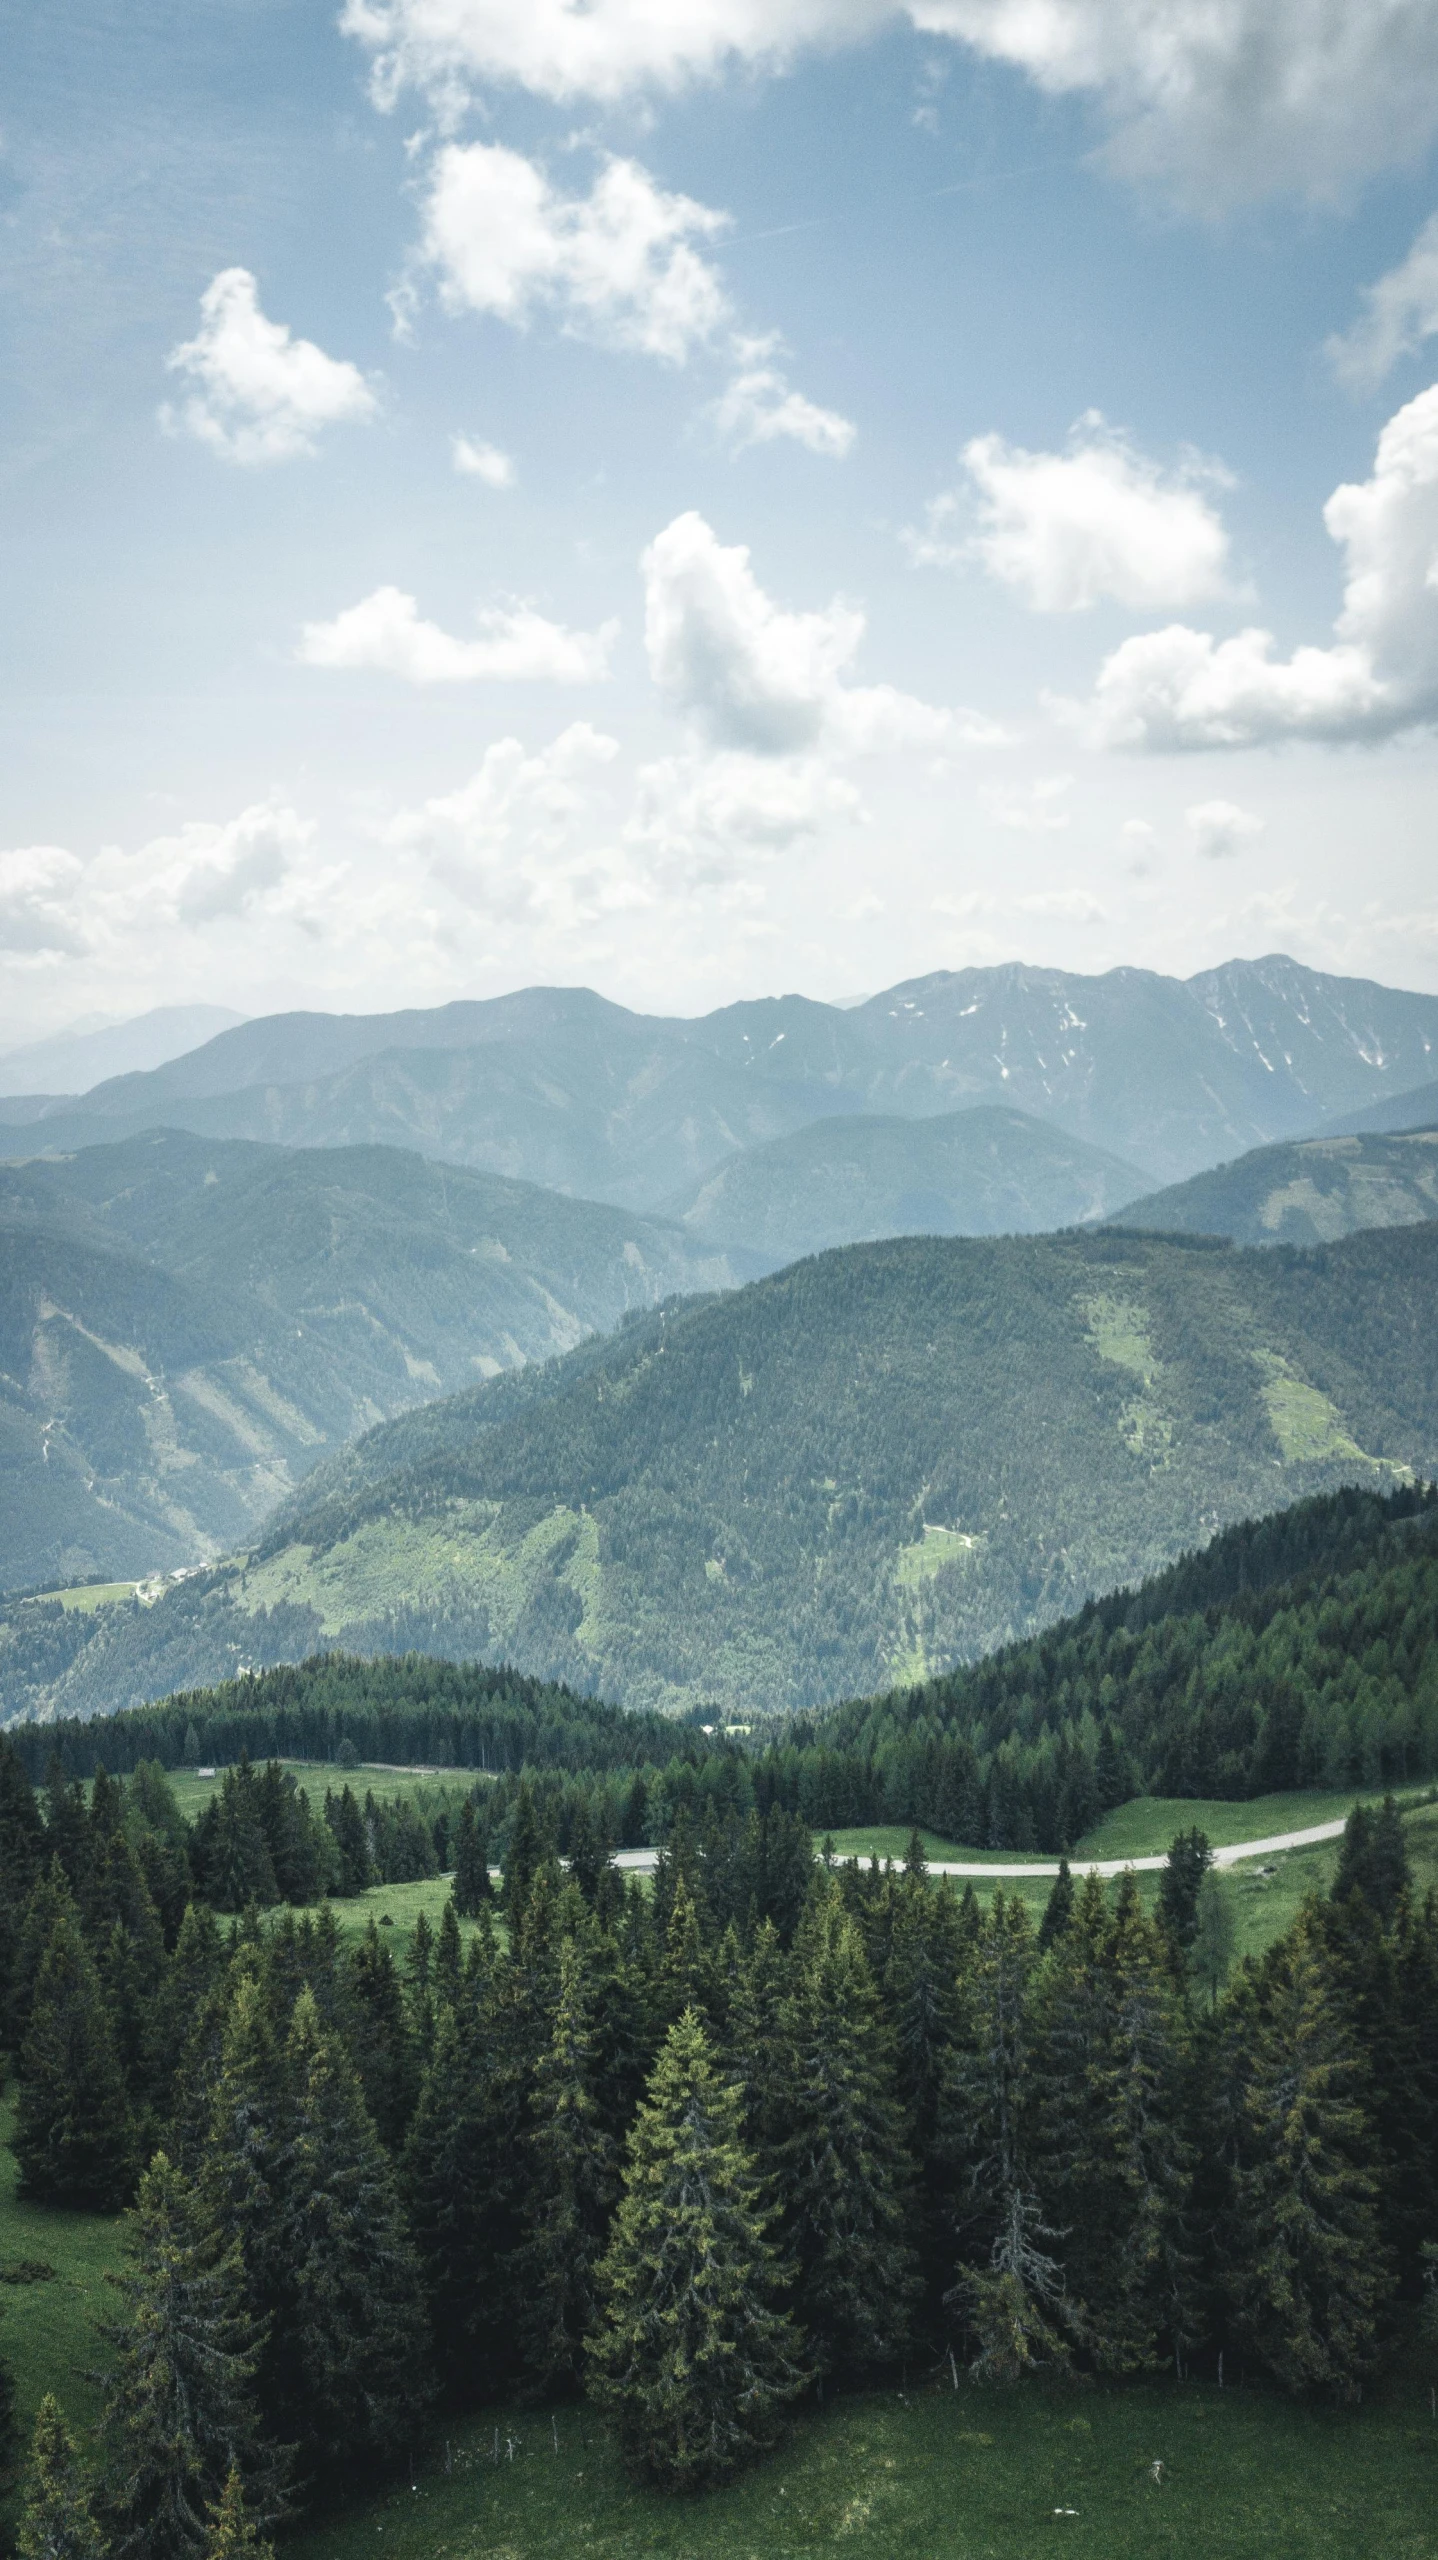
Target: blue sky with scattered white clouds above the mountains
[{"x": 707, "y": 498}]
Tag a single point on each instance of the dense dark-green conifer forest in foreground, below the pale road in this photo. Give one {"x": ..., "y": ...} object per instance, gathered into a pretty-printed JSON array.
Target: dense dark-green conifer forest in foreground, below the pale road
[{"x": 697, "y": 2152}]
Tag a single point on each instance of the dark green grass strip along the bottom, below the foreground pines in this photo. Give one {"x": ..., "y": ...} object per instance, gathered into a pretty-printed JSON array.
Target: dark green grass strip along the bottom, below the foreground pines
[{"x": 1150, "y": 2472}]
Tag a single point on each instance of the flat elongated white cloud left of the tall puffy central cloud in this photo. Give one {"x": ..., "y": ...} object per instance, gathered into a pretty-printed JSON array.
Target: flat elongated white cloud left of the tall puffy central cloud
[{"x": 518, "y": 644}]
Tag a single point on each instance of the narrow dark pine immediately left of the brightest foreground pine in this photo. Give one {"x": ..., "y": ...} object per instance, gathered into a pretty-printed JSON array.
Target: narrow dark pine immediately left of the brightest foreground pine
[{"x": 569, "y": 2190}]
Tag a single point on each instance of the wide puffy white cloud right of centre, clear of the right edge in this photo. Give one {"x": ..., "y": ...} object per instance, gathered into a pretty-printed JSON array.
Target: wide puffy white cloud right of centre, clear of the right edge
[{"x": 1068, "y": 531}]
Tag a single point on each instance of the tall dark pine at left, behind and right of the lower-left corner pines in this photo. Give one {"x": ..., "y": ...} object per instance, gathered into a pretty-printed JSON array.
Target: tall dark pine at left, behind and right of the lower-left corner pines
[{"x": 357, "y": 2336}]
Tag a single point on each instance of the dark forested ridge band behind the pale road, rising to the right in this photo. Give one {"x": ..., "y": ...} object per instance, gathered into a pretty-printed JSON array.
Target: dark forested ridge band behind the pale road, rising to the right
[{"x": 1299, "y": 1650}]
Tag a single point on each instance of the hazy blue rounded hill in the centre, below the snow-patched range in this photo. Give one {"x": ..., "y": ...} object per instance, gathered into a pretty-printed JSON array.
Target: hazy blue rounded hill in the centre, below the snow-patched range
[{"x": 851, "y": 1181}]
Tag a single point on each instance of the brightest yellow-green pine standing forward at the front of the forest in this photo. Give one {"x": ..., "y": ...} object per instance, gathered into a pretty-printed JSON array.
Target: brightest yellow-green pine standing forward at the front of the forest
[{"x": 695, "y": 2359}]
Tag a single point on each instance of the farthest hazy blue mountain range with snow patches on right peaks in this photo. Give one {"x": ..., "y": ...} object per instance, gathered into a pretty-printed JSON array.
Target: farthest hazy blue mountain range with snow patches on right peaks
[{"x": 562, "y": 1087}]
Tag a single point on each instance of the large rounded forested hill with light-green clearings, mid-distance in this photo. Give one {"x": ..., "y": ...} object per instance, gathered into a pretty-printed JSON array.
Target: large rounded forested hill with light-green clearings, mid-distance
[{"x": 864, "y": 1471}]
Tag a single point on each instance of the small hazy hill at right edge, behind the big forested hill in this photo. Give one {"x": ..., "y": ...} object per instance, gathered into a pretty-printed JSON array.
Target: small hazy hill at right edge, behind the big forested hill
[{"x": 1306, "y": 1194}]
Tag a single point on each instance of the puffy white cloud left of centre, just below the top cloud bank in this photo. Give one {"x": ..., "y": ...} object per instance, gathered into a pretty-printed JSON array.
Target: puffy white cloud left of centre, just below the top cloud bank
[{"x": 618, "y": 265}]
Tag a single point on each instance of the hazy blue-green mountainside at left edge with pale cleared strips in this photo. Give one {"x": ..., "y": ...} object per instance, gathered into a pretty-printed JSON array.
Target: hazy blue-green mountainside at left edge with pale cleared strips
[{"x": 186, "y": 1327}]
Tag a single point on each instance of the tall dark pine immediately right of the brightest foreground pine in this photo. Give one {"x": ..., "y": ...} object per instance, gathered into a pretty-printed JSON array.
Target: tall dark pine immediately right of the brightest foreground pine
[{"x": 843, "y": 2172}]
